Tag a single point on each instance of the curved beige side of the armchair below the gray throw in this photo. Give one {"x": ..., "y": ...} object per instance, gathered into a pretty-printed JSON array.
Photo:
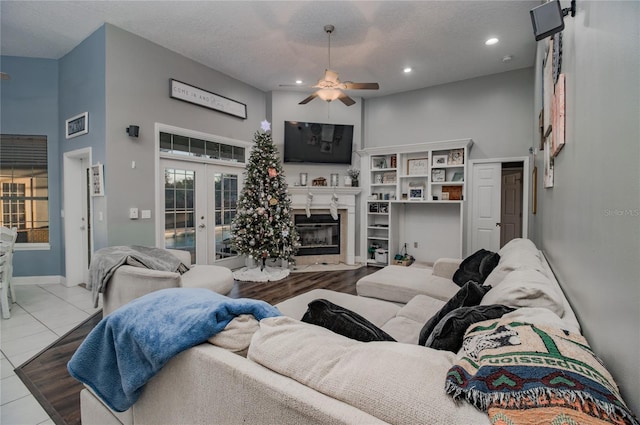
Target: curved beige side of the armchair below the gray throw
[{"x": 129, "y": 283}]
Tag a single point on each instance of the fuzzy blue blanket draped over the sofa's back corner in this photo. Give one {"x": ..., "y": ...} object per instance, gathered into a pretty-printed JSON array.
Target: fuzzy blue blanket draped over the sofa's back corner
[{"x": 129, "y": 346}]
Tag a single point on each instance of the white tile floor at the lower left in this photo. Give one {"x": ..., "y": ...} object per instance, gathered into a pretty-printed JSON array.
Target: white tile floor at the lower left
[{"x": 42, "y": 314}]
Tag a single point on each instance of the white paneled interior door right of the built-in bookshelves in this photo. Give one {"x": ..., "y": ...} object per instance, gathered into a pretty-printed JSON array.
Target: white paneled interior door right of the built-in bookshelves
[{"x": 485, "y": 206}]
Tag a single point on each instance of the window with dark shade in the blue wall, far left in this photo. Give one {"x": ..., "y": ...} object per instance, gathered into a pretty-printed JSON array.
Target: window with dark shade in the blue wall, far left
[{"x": 24, "y": 187}]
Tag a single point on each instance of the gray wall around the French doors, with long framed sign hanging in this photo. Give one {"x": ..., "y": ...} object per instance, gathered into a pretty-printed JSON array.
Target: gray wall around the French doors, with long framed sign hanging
[{"x": 137, "y": 92}]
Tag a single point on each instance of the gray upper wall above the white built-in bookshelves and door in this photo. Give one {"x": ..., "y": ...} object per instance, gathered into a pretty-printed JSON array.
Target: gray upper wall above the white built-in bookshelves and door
[{"x": 494, "y": 111}]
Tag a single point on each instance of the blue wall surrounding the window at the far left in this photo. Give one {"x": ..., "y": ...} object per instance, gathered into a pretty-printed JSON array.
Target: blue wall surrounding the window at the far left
[{"x": 30, "y": 107}]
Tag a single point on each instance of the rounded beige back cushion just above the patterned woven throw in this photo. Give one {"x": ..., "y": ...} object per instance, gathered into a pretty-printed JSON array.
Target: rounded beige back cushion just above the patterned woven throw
[{"x": 526, "y": 287}]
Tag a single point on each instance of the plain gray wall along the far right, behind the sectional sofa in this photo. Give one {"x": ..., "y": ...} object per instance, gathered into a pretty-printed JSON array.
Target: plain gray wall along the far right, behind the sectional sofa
[{"x": 588, "y": 224}]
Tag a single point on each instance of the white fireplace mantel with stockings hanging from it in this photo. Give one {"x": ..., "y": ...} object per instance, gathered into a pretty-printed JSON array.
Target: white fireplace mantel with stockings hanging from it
[{"x": 322, "y": 200}]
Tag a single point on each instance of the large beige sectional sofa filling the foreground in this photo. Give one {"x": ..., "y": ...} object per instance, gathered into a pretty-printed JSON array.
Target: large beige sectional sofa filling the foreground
[{"x": 285, "y": 371}]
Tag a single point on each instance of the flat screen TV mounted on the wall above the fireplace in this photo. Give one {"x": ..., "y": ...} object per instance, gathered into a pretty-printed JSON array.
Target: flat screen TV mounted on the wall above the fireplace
[{"x": 317, "y": 142}]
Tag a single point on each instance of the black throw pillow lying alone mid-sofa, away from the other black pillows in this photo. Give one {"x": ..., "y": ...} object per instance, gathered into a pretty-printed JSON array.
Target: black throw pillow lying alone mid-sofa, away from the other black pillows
[{"x": 344, "y": 322}]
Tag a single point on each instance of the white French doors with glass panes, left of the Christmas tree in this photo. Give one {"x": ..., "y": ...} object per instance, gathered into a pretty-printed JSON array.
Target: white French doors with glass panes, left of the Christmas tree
[{"x": 200, "y": 201}]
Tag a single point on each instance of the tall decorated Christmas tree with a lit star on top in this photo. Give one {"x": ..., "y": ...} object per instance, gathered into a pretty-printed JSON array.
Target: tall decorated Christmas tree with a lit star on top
[{"x": 263, "y": 227}]
